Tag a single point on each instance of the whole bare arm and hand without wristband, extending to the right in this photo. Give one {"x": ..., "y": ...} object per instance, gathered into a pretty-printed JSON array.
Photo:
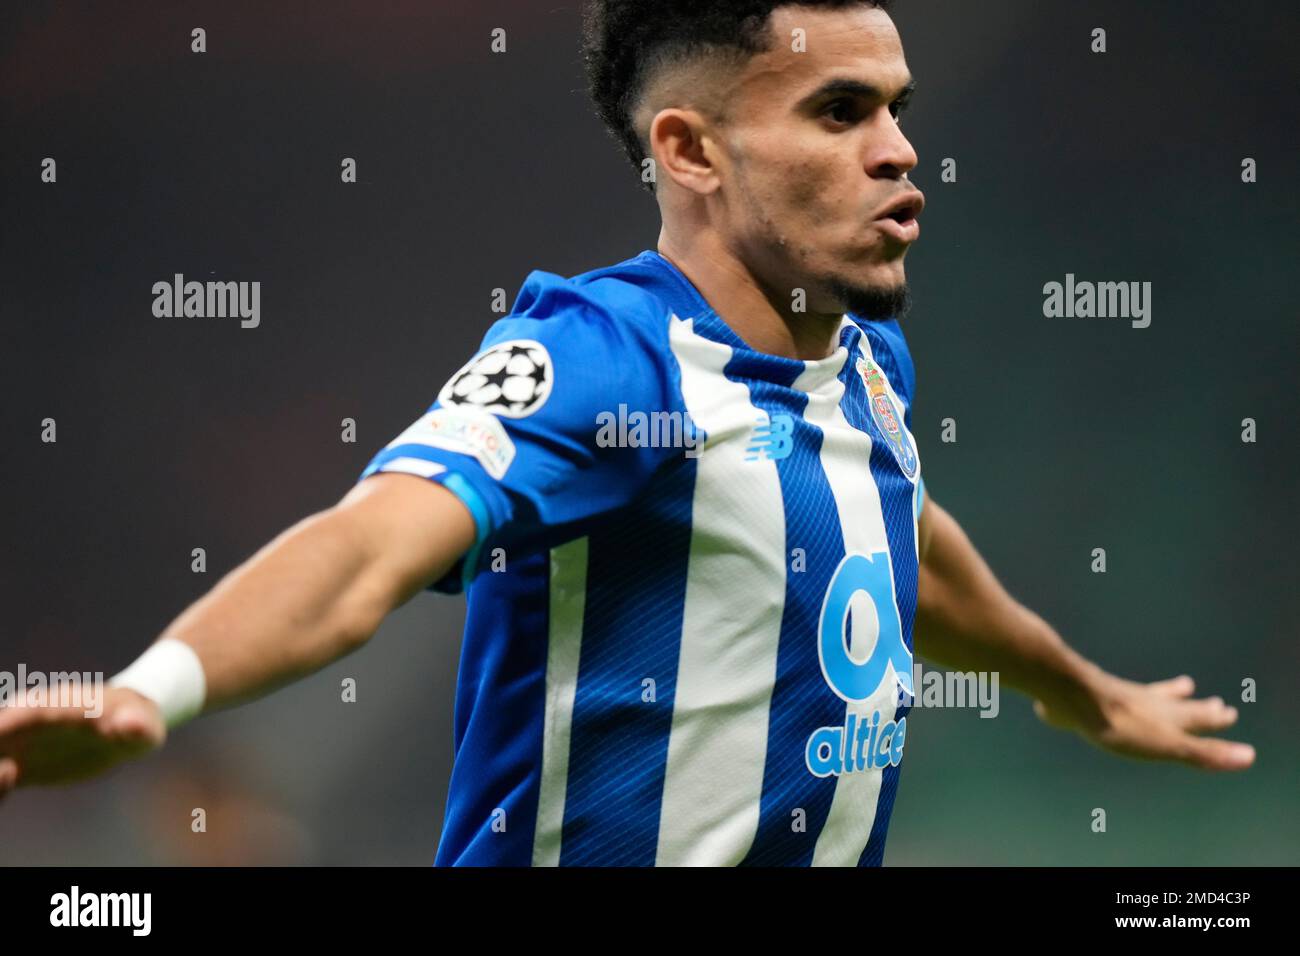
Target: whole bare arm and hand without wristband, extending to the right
[{"x": 967, "y": 621}]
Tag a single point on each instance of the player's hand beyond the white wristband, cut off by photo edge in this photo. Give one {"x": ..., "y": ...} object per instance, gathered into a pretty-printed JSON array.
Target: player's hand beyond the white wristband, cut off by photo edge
[{"x": 44, "y": 743}]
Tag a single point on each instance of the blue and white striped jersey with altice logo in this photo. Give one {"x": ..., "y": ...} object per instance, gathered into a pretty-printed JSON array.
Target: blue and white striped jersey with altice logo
[{"x": 694, "y": 586}]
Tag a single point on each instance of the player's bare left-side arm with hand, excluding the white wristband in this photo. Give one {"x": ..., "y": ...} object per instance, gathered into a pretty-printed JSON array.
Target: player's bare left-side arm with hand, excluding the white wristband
[{"x": 315, "y": 594}]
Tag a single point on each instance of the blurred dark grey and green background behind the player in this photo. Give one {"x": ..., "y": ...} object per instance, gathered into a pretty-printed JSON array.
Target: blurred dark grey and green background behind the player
[{"x": 478, "y": 167}]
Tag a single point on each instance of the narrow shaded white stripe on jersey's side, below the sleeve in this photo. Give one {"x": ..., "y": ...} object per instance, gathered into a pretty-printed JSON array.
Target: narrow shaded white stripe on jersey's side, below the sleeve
[{"x": 567, "y": 608}]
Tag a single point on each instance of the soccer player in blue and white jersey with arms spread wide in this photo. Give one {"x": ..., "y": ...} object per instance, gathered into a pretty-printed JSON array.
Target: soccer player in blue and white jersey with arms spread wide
[{"x": 683, "y": 496}]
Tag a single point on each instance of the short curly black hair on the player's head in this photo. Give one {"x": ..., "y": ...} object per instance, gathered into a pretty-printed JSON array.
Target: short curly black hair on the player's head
[{"x": 626, "y": 41}]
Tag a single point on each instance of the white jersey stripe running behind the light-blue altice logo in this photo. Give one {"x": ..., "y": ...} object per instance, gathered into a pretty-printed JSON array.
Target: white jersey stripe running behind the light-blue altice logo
[{"x": 846, "y": 460}]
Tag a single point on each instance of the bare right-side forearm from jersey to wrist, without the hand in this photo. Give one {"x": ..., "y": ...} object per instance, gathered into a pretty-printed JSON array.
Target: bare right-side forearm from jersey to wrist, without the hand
[{"x": 968, "y": 621}]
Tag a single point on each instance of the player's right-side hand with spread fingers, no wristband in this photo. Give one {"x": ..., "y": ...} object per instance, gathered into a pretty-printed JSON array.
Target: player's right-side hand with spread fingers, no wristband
[{"x": 1156, "y": 721}]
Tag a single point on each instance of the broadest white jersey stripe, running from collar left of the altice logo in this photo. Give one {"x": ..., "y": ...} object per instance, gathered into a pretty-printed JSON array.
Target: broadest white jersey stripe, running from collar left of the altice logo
[{"x": 735, "y": 586}]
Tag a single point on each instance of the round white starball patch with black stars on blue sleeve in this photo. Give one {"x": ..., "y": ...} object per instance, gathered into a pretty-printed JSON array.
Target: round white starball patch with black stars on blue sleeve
[{"x": 512, "y": 379}]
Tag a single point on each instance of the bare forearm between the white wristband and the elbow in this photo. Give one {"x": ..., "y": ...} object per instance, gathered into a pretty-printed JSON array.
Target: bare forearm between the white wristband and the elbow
[{"x": 298, "y": 604}]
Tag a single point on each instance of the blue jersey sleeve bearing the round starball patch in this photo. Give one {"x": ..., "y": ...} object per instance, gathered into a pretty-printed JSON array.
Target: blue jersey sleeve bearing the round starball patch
[{"x": 515, "y": 434}]
